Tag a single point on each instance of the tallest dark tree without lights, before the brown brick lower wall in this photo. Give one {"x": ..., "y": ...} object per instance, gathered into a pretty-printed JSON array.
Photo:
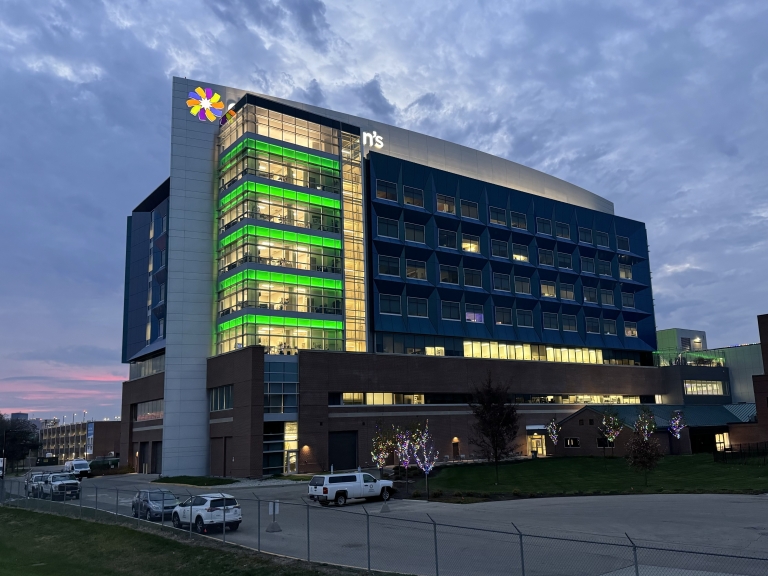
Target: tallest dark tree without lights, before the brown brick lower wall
[{"x": 496, "y": 421}]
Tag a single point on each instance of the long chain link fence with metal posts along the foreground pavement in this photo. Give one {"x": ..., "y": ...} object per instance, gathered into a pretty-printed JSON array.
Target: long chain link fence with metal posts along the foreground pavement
[{"x": 371, "y": 537}]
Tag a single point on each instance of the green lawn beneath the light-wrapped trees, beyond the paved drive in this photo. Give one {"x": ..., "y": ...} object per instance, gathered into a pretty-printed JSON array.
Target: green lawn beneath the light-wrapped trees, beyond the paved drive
[{"x": 585, "y": 475}]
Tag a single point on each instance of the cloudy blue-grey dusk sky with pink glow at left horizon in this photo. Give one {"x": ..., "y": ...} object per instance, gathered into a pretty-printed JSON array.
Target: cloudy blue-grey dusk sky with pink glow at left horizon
[{"x": 658, "y": 106}]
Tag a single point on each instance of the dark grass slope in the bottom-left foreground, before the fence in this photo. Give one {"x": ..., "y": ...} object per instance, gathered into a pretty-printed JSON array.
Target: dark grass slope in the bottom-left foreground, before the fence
[{"x": 33, "y": 544}]
